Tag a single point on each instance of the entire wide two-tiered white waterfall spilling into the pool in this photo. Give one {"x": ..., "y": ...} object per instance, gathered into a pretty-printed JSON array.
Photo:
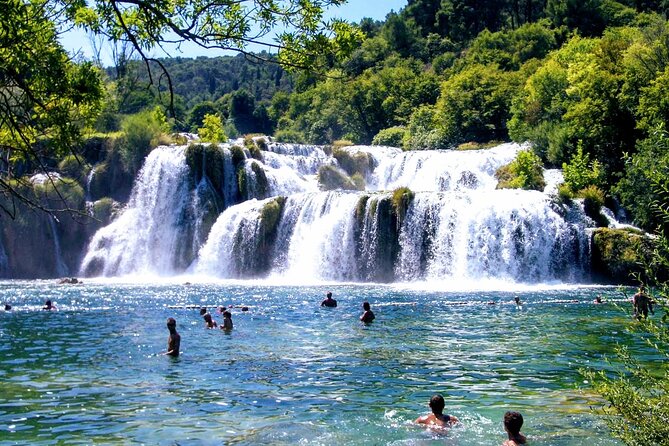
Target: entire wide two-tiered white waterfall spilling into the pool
[{"x": 453, "y": 225}]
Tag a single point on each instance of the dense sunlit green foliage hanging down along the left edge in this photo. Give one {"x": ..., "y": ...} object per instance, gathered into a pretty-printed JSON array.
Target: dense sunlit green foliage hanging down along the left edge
[{"x": 46, "y": 99}]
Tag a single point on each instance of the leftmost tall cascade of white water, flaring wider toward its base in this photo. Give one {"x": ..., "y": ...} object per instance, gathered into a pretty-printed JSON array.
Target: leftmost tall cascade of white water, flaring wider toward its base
[{"x": 144, "y": 238}]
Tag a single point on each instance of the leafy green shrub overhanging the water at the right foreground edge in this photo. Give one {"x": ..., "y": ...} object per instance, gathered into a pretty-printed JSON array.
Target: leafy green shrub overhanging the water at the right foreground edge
[{"x": 637, "y": 392}]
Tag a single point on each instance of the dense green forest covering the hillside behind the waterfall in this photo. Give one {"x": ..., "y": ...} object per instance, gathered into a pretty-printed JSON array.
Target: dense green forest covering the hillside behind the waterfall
[{"x": 585, "y": 82}]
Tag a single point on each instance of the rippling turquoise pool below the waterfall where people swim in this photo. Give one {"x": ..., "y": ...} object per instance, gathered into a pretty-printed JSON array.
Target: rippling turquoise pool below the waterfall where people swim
[{"x": 294, "y": 373}]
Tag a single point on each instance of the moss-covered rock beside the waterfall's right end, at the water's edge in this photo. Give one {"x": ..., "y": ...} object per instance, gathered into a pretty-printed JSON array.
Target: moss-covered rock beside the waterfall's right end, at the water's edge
[{"x": 618, "y": 254}]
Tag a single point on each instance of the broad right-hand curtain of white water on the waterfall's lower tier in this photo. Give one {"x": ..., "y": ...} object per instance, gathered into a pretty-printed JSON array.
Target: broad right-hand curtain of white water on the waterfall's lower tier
[{"x": 500, "y": 234}]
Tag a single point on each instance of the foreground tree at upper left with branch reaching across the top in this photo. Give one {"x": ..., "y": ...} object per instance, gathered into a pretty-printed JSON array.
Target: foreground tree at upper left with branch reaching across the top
[{"x": 49, "y": 99}]
